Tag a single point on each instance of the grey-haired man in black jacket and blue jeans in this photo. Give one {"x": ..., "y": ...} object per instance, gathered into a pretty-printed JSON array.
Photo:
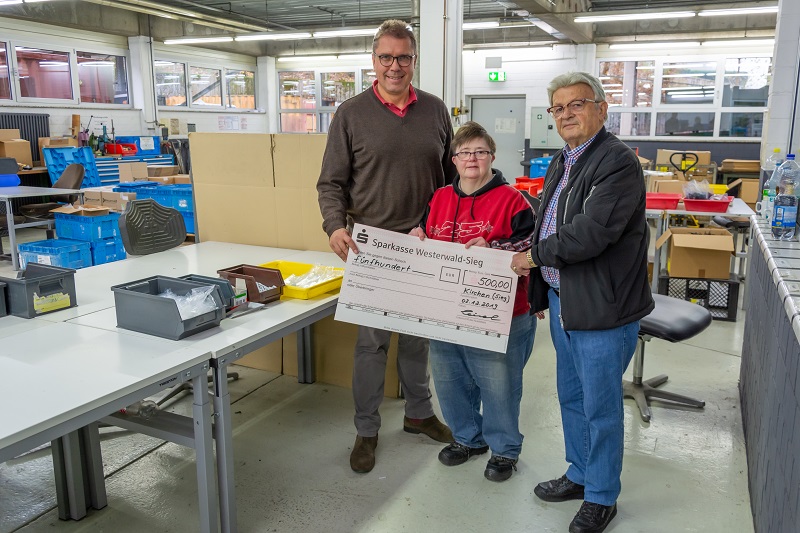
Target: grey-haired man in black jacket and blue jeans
[{"x": 588, "y": 265}]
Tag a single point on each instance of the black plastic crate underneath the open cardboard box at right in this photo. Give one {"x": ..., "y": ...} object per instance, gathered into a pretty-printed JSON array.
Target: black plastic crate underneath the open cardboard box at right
[{"x": 719, "y": 296}]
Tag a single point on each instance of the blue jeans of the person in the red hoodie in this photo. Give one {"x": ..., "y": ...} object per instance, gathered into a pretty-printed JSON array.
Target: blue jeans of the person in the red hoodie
[{"x": 465, "y": 377}]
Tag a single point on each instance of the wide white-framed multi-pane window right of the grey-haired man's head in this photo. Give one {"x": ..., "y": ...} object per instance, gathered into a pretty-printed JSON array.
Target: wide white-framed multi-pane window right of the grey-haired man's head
[{"x": 712, "y": 97}]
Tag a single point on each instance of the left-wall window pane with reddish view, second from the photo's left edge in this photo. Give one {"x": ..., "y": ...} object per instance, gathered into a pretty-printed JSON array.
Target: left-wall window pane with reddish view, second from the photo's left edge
[{"x": 44, "y": 74}]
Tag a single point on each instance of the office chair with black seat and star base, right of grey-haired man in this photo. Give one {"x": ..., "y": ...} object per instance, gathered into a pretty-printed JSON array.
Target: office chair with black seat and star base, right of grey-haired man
[{"x": 673, "y": 320}]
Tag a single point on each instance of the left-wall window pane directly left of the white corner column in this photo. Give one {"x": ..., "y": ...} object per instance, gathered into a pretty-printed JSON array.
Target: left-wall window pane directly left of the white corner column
[{"x": 103, "y": 79}]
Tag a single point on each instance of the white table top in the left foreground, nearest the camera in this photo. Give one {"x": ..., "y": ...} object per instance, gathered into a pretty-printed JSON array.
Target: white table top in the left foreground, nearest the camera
[{"x": 56, "y": 373}]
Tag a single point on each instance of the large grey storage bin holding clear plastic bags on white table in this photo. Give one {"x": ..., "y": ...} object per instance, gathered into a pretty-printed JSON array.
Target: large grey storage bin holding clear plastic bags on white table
[{"x": 139, "y": 308}]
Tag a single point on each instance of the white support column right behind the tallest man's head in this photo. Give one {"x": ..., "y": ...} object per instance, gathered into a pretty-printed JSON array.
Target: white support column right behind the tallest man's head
[{"x": 439, "y": 47}]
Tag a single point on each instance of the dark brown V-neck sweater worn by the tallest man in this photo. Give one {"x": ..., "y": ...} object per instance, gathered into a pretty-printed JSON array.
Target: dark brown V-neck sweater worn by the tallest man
[{"x": 380, "y": 169}]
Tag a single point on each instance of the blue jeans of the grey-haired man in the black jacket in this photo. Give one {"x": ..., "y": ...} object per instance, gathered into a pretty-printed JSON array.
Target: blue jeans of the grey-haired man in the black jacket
[{"x": 589, "y": 368}]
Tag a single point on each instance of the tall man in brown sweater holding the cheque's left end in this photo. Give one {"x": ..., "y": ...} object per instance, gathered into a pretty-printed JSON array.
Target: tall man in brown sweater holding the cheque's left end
[{"x": 388, "y": 150}]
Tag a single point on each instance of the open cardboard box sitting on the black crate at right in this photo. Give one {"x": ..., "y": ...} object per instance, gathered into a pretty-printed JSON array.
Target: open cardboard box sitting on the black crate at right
[{"x": 698, "y": 252}]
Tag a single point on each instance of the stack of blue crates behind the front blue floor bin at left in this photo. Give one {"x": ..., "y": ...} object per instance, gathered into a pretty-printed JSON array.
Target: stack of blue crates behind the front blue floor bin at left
[{"x": 100, "y": 233}]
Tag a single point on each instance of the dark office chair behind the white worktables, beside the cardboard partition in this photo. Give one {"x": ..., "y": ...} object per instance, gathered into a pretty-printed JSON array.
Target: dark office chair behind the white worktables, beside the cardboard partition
[{"x": 147, "y": 227}]
